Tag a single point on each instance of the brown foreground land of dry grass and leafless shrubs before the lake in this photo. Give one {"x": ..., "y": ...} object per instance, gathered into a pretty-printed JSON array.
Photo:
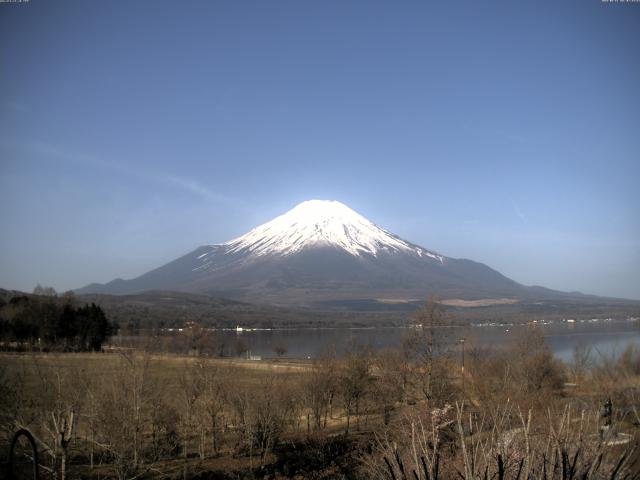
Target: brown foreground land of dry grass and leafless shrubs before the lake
[{"x": 133, "y": 414}]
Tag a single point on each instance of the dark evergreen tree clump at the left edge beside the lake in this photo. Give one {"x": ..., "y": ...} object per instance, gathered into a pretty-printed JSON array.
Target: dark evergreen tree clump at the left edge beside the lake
[{"x": 47, "y": 321}]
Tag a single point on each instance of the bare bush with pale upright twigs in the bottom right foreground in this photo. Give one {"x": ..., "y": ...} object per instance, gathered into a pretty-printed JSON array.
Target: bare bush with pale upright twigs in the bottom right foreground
[{"x": 509, "y": 446}]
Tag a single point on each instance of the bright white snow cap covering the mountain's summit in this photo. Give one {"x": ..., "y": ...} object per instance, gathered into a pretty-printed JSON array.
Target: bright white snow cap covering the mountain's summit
[{"x": 321, "y": 223}]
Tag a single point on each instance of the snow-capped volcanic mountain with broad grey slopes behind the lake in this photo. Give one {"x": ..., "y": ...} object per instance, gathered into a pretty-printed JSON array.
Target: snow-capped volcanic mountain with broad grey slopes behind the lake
[{"x": 322, "y": 251}]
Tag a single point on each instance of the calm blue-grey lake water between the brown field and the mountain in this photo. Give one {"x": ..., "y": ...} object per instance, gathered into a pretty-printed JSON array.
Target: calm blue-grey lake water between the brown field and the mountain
[{"x": 605, "y": 338}]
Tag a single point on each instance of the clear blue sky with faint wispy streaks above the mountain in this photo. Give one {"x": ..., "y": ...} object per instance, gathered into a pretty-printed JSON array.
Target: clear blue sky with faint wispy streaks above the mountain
[{"x": 505, "y": 132}]
